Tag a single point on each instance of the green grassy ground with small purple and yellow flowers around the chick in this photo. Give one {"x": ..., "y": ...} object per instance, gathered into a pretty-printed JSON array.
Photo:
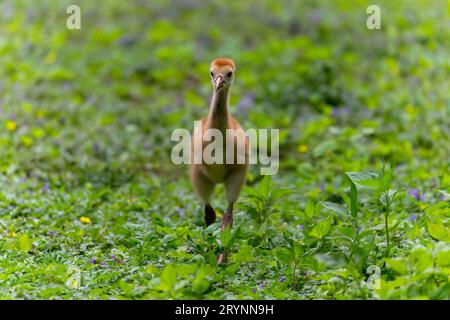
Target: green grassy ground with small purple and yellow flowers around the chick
[{"x": 92, "y": 207}]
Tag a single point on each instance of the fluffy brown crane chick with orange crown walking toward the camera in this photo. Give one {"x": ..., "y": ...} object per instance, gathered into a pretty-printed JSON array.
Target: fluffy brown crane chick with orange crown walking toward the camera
[{"x": 205, "y": 176}]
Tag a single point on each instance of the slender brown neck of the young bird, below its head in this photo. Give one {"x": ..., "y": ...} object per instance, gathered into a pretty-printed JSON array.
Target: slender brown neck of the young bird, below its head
[{"x": 218, "y": 110}]
